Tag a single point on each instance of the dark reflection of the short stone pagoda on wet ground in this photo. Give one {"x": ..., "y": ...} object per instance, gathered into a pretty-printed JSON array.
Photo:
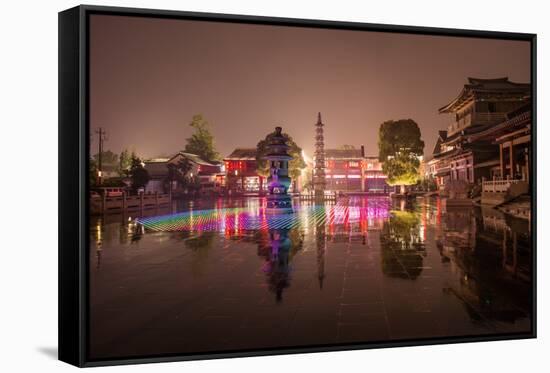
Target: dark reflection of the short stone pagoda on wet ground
[{"x": 278, "y": 247}]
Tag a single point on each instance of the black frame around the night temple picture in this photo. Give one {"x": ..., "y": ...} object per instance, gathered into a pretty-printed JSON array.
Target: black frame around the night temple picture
[{"x": 74, "y": 135}]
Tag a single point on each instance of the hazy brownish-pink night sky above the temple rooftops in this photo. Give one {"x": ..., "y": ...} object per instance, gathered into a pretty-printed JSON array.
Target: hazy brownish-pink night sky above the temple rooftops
[{"x": 148, "y": 77}]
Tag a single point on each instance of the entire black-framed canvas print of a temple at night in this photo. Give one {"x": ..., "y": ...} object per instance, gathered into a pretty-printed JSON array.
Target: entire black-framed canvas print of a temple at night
[{"x": 240, "y": 186}]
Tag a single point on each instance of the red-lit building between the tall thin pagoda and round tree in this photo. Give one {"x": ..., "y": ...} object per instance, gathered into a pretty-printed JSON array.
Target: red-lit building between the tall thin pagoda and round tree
[{"x": 350, "y": 171}]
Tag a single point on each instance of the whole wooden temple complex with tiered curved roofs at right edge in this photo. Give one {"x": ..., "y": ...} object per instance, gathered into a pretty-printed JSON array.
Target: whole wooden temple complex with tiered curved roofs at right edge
[{"x": 488, "y": 139}]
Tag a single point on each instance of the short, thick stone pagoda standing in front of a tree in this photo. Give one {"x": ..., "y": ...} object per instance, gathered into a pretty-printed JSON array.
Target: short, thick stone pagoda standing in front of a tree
[{"x": 277, "y": 155}]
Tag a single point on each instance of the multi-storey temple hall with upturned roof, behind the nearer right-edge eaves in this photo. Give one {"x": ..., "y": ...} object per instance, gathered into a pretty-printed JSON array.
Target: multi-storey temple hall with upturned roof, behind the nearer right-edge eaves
[{"x": 481, "y": 107}]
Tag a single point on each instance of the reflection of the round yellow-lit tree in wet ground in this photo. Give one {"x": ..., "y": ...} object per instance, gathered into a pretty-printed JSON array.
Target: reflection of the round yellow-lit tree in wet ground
[{"x": 402, "y": 249}]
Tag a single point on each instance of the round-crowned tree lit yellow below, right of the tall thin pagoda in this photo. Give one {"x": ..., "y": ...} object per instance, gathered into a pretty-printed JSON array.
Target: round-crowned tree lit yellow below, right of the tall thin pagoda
[{"x": 400, "y": 146}]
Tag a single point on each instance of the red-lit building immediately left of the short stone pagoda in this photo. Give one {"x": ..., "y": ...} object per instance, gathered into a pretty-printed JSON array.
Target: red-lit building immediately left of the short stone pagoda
[{"x": 241, "y": 170}]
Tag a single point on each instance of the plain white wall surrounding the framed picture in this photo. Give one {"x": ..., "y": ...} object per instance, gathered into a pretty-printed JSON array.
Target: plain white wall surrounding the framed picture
[{"x": 28, "y": 263}]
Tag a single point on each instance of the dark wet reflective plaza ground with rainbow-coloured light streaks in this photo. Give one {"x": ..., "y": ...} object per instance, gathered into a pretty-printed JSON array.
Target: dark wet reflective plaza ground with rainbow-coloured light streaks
[{"x": 221, "y": 275}]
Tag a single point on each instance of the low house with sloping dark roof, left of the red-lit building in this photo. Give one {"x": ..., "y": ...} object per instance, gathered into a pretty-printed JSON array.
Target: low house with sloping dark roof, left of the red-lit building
[{"x": 210, "y": 175}]
